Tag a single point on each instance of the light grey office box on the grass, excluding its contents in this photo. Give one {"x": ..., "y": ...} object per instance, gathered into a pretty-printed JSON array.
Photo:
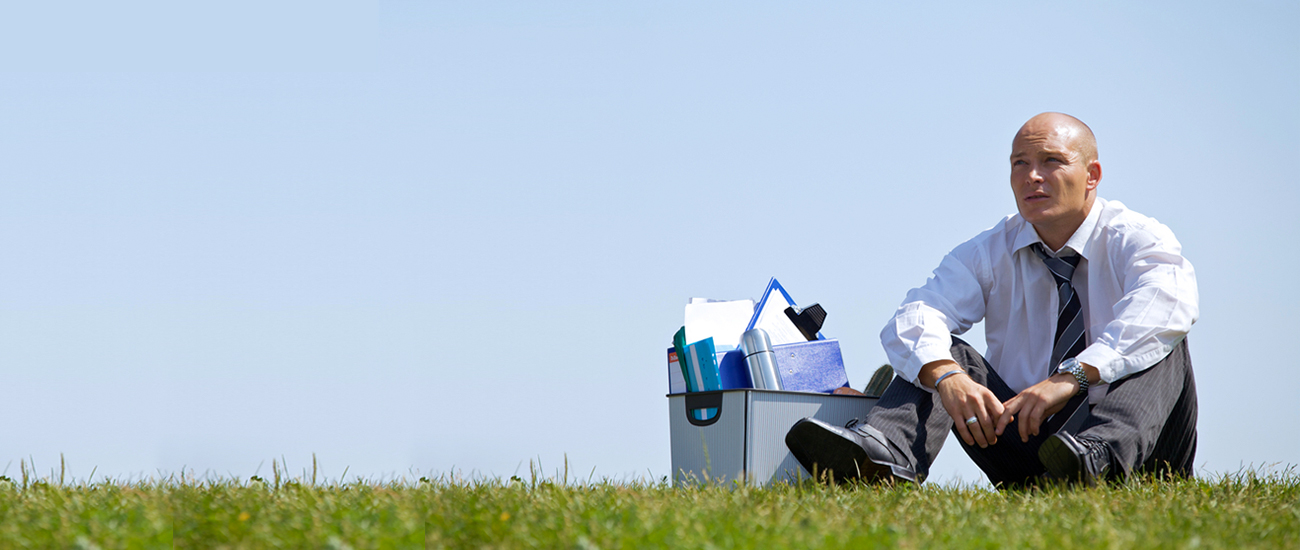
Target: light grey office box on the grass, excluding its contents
[{"x": 747, "y": 439}]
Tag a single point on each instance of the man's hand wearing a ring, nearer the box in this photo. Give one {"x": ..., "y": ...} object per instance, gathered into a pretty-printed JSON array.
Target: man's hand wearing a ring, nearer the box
[{"x": 964, "y": 399}]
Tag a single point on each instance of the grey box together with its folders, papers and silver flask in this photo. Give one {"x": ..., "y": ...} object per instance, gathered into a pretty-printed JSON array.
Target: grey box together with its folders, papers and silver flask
[{"x": 740, "y": 375}]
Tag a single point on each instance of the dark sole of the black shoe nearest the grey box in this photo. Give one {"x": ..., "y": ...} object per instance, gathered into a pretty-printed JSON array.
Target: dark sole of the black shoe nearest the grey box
[{"x": 831, "y": 453}]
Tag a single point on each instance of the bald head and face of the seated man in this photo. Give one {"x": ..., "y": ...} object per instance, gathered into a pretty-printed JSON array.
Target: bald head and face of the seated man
[{"x": 1051, "y": 177}]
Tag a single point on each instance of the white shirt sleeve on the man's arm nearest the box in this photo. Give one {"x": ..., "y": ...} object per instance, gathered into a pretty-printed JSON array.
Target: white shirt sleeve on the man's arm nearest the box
[{"x": 951, "y": 302}]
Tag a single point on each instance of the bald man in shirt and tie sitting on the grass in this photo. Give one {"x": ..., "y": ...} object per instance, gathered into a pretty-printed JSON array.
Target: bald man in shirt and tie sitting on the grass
[{"x": 1086, "y": 306}]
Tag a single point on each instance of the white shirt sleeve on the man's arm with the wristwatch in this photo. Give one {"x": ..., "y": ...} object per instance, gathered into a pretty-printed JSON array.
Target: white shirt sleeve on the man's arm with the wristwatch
[{"x": 1159, "y": 308}]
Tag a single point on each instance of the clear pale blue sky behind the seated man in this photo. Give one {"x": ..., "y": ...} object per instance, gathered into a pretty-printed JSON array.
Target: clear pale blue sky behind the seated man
[{"x": 427, "y": 237}]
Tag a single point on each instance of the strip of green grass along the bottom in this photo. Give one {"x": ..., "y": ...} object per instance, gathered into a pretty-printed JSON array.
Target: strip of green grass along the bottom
[{"x": 1245, "y": 510}]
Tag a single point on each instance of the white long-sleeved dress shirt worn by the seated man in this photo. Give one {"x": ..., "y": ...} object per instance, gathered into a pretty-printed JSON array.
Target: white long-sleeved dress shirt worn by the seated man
[{"x": 1137, "y": 289}]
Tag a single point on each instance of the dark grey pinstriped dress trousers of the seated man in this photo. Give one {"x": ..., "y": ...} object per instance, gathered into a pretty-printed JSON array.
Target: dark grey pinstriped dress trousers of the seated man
[{"x": 1147, "y": 419}]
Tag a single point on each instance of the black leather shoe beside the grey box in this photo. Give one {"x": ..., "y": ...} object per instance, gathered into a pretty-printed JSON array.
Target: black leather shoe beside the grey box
[{"x": 850, "y": 453}]
